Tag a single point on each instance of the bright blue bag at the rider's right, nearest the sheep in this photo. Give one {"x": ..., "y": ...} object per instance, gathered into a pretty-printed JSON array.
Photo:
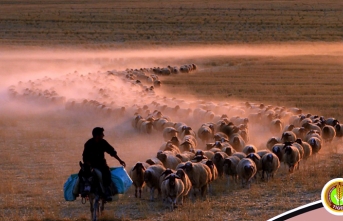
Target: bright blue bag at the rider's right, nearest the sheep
[{"x": 121, "y": 179}]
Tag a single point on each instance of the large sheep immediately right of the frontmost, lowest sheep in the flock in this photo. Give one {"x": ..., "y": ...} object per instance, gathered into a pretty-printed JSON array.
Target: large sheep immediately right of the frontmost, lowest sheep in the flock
[{"x": 200, "y": 176}]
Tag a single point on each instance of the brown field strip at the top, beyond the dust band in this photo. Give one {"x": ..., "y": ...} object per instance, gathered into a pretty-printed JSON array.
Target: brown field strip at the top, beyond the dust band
[{"x": 168, "y": 22}]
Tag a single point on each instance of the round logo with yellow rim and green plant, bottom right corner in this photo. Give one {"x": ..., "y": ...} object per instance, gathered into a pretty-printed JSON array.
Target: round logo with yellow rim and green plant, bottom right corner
[{"x": 332, "y": 196}]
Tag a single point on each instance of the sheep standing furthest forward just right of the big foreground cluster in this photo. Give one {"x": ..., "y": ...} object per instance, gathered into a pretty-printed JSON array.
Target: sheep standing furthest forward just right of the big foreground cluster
[{"x": 246, "y": 170}]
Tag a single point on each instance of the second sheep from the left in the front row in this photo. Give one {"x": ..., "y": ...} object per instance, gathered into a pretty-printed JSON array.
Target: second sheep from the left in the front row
[{"x": 152, "y": 178}]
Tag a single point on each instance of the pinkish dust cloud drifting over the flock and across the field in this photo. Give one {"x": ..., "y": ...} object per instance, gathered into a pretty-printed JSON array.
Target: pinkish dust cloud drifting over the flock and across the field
[{"x": 78, "y": 74}]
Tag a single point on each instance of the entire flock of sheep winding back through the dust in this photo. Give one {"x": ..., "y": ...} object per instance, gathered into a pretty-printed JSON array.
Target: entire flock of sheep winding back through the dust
[{"x": 203, "y": 140}]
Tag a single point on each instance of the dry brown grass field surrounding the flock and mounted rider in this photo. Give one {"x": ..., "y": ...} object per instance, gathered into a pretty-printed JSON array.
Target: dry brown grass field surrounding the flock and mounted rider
[{"x": 282, "y": 53}]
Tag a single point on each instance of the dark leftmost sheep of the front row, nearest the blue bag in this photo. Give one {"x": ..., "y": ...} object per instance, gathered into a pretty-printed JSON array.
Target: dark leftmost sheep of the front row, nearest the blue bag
[{"x": 137, "y": 175}]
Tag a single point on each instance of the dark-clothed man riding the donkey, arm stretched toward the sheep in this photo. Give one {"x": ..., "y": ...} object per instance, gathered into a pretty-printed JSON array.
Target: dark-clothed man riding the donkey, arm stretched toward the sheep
[{"x": 94, "y": 156}]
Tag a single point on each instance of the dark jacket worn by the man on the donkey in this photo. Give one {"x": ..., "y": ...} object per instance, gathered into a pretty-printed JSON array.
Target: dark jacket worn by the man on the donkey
[{"x": 94, "y": 152}]
